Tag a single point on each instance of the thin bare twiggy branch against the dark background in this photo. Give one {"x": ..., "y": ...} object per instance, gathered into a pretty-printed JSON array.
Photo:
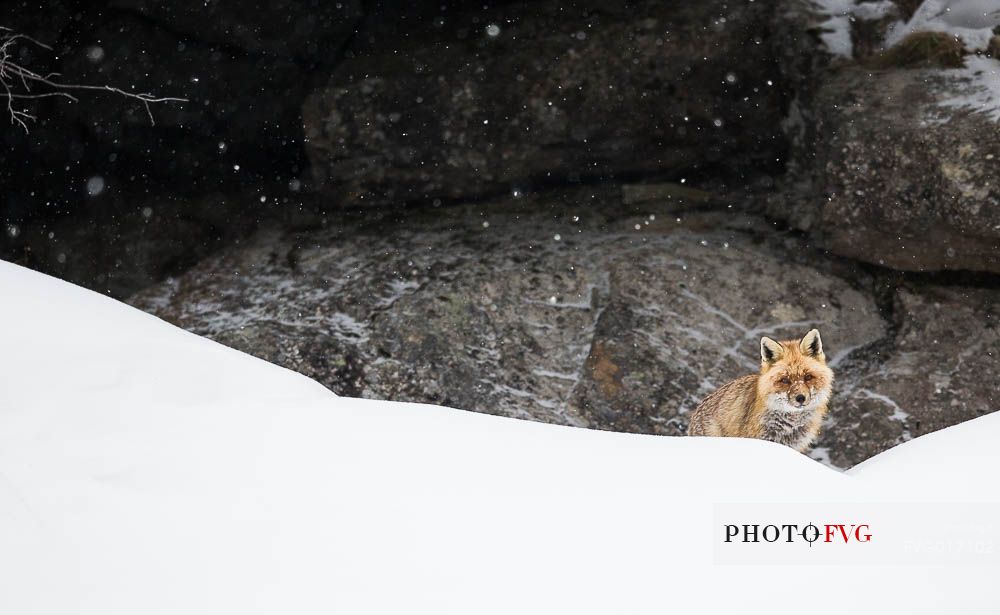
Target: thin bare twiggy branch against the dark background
[{"x": 17, "y": 83}]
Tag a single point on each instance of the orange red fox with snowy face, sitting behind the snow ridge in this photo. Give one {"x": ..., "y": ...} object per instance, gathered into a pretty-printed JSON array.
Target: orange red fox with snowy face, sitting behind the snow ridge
[{"x": 784, "y": 403}]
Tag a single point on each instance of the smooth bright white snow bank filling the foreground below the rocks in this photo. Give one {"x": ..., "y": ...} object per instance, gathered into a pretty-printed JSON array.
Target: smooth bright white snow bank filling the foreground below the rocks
[{"x": 146, "y": 470}]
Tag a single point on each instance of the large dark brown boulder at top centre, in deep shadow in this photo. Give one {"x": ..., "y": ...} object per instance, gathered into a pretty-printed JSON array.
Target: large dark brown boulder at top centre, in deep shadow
[{"x": 484, "y": 102}]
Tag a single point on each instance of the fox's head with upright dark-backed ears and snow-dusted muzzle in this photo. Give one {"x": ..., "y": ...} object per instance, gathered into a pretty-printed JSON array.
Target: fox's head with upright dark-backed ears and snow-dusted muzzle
[{"x": 793, "y": 374}]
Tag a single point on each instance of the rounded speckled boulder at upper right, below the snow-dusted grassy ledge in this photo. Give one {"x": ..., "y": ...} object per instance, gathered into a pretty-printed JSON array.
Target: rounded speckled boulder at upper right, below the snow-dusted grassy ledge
[{"x": 904, "y": 169}]
